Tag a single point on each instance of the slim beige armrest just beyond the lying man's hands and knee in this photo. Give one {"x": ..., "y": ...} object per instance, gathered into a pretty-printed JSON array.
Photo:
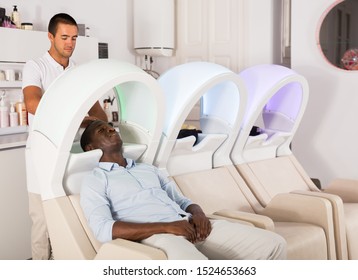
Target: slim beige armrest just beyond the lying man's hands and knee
[{"x": 245, "y": 217}]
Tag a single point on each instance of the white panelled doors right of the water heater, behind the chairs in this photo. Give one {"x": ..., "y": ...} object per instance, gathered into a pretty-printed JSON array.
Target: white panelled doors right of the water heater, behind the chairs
[{"x": 234, "y": 33}]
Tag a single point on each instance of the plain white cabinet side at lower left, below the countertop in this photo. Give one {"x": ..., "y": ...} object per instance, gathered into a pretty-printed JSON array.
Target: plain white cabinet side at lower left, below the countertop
[{"x": 14, "y": 218}]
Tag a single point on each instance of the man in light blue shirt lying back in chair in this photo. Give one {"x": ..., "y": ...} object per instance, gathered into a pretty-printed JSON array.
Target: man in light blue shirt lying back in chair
[{"x": 134, "y": 201}]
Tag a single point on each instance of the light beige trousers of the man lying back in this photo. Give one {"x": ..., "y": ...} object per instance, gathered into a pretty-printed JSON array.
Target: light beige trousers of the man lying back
[{"x": 227, "y": 241}]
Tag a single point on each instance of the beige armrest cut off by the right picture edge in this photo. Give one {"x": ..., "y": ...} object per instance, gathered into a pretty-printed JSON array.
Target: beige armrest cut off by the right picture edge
[{"x": 346, "y": 189}]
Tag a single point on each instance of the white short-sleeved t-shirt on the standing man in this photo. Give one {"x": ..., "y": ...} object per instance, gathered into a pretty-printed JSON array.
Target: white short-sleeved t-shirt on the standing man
[{"x": 42, "y": 72}]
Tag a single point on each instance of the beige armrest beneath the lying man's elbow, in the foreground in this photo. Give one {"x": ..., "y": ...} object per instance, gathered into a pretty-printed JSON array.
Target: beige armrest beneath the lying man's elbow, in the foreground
[{"x": 121, "y": 249}]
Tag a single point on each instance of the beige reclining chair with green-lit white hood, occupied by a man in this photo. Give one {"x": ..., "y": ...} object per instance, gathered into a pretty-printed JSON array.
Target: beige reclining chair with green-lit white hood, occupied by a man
[{"x": 51, "y": 158}]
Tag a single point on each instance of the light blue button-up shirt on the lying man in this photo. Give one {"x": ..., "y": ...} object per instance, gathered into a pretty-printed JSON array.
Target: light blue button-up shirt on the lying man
[{"x": 136, "y": 193}]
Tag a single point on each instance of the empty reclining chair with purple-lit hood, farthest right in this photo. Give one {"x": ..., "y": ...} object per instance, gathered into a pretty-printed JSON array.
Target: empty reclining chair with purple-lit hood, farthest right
[{"x": 277, "y": 100}]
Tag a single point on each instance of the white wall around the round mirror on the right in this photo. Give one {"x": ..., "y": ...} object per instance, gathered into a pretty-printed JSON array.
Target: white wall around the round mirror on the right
[{"x": 326, "y": 141}]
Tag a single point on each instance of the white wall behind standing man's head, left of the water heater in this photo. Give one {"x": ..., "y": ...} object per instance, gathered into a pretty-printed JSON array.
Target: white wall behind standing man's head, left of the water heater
[{"x": 107, "y": 20}]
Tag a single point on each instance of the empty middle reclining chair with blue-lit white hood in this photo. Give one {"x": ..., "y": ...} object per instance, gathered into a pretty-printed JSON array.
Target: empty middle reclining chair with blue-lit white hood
[{"x": 204, "y": 172}]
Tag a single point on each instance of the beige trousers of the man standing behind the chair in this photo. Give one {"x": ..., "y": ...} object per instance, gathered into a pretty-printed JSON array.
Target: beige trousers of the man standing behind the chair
[{"x": 40, "y": 242}]
